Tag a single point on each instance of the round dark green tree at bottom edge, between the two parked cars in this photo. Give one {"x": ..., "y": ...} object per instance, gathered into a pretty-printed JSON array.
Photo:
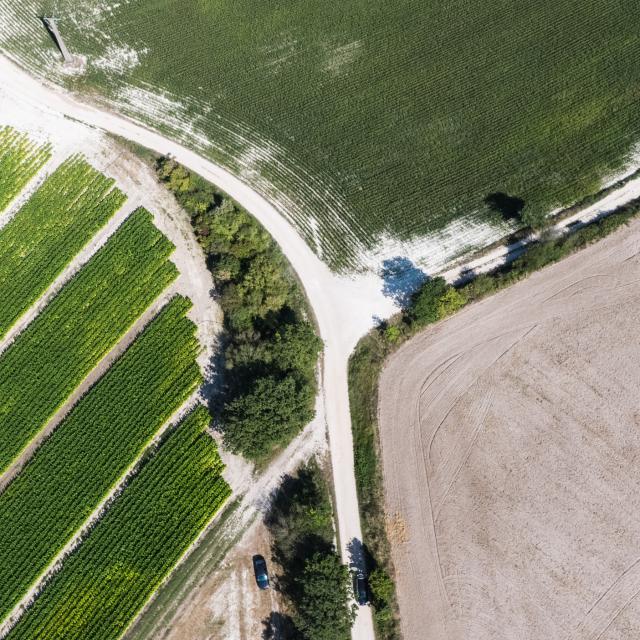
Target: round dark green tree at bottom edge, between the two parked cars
[{"x": 323, "y": 611}]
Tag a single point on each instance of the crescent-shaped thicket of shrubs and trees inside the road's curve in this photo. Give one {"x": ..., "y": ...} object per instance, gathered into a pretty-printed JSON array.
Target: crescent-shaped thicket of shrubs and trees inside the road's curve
[{"x": 270, "y": 347}]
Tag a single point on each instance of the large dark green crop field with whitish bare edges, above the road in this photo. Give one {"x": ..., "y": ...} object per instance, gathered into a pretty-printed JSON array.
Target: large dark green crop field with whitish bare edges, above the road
[{"x": 366, "y": 117}]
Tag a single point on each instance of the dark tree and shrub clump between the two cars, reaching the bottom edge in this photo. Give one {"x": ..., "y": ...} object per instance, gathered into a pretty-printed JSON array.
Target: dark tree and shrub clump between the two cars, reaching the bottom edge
[{"x": 316, "y": 586}]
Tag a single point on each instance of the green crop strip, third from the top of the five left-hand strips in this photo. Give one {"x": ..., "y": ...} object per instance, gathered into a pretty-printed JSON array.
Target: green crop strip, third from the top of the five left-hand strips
[{"x": 59, "y": 348}]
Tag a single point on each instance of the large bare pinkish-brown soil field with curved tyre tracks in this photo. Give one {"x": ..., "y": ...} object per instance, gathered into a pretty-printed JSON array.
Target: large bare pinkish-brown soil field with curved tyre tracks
[{"x": 510, "y": 439}]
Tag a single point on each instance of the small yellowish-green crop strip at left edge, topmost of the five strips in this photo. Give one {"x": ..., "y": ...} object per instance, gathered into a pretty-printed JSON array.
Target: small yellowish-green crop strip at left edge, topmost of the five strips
[{"x": 20, "y": 160}]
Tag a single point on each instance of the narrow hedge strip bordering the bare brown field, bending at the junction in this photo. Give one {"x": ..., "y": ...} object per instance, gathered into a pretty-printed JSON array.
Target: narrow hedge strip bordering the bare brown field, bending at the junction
[{"x": 434, "y": 301}]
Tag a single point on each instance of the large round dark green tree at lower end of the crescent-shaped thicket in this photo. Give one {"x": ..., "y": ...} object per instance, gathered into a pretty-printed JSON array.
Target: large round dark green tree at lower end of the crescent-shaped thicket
[{"x": 269, "y": 415}]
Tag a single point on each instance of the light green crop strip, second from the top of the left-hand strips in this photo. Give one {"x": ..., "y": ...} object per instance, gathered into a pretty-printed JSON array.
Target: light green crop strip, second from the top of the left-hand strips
[{"x": 49, "y": 230}]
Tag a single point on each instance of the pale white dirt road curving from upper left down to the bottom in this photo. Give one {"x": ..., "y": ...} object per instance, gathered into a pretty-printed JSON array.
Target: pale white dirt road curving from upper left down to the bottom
[{"x": 343, "y": 307}]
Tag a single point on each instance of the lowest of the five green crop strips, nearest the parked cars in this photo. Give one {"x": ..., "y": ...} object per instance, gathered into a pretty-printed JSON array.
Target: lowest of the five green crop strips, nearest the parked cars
[{"x": 103, "y": 585}]
